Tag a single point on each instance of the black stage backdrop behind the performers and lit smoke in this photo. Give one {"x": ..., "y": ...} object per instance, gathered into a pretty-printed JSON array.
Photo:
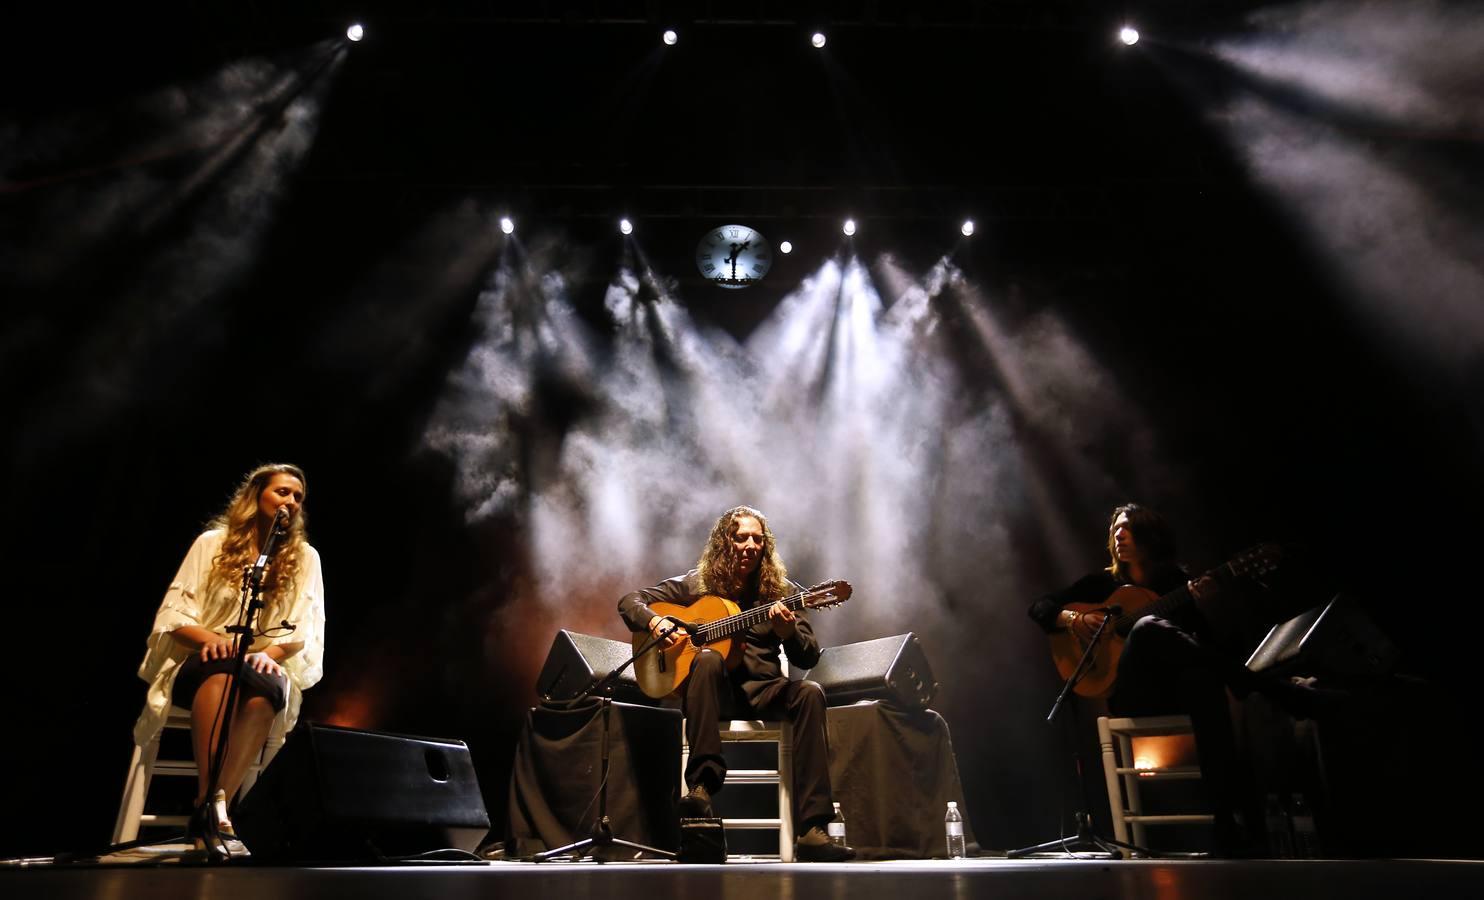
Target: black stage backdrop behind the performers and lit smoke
[{"x": 137, "y": 388}]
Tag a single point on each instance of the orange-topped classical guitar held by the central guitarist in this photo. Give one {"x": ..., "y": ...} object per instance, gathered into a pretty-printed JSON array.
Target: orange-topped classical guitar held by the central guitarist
[{"x": 719, "y": 623}]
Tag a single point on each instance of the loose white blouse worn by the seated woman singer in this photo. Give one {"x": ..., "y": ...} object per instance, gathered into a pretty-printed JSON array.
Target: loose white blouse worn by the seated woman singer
[{"x": 186, "y": 604}]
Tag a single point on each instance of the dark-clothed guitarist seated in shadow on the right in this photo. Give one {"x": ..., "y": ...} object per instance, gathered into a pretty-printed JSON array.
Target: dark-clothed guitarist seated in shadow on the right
[{"x": 1167, "y": 668}]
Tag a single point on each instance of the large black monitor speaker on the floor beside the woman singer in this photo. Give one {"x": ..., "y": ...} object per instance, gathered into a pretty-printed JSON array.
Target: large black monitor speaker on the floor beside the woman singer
[{"x": 347, "y": 795}]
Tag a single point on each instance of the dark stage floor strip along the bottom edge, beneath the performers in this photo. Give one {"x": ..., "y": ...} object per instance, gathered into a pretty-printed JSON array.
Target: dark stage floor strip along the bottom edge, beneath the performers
[{"x": 1043, "y": 878}]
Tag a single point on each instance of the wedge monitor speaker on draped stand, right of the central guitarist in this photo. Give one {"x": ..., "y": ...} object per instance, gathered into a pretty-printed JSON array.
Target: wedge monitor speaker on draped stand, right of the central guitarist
[{"x": 891, "y": 669}]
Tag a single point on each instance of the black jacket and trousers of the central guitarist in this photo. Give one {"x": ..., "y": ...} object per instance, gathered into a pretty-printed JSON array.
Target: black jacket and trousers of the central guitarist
[{"x": 758, "y": 688}]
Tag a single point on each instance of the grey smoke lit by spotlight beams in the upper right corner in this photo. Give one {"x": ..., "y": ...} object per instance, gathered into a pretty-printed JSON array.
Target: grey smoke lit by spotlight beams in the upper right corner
[{"x": 1400, "y": 222}]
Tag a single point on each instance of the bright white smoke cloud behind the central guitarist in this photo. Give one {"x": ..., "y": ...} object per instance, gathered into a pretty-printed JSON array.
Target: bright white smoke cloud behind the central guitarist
[{"x": 841, "y": 418}]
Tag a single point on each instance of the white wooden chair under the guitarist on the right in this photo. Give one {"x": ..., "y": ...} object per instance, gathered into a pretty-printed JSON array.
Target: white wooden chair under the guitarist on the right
[{"x": 1124, "y": 777}]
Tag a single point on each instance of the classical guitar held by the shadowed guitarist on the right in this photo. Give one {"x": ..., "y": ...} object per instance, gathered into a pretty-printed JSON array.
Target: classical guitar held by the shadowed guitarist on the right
[{"x": 1137, "y": 602}]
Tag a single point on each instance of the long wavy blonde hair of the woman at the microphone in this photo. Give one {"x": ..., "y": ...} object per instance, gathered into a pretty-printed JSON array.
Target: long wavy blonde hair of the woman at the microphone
[{"x": 240, "y": 549}]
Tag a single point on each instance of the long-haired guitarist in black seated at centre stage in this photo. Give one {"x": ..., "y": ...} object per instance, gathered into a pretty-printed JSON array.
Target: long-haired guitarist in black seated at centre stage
[{"x": 741, "y": 564}]
